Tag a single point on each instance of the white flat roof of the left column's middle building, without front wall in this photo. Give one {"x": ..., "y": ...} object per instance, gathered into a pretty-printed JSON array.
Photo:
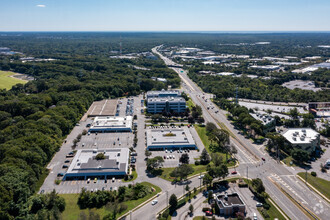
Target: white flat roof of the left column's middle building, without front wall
[{"x": 103, "y": 122}]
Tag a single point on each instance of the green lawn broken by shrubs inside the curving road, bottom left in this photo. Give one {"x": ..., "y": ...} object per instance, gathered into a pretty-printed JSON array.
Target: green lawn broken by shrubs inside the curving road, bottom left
[{"x": 72, "y": 210}]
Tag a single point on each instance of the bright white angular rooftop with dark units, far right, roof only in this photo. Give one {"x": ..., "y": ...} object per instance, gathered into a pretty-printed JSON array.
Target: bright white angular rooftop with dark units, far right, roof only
[{"x": 300, "y": 135}]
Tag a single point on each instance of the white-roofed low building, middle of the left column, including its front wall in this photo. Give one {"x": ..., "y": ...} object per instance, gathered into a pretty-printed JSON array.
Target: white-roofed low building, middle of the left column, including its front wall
[{"x": 112, "y": 124}]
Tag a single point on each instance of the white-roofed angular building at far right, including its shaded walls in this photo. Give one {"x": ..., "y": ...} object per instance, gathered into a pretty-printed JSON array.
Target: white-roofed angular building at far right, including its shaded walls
[{"x": 304, "y": 138}]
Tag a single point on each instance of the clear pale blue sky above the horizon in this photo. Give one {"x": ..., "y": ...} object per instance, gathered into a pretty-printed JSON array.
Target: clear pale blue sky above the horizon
[{"x": 164, "y": 15}]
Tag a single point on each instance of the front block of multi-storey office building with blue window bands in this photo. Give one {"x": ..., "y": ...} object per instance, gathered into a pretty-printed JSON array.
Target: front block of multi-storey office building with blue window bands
[{"x": 168, "y": 104}]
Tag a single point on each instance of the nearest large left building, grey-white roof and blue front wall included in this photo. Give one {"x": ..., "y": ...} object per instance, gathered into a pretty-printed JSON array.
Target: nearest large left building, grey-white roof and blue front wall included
[{"x": 85, "y": 165}]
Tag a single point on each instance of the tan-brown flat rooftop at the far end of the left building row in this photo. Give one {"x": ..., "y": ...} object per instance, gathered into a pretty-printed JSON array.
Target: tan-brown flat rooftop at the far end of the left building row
[{"x": 106, "y": 107}]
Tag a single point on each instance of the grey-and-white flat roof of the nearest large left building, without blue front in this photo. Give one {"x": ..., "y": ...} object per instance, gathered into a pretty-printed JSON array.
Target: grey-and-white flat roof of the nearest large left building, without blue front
[{"x": 84, "y": 161}]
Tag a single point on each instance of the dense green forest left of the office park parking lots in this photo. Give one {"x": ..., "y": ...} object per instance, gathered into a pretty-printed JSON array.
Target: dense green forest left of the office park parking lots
[{"x": 36, "y": 117}]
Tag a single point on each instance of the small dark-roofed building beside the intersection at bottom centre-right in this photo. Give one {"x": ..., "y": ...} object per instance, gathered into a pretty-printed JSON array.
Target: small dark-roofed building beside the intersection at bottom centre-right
[{"x": 229, "y": 204}]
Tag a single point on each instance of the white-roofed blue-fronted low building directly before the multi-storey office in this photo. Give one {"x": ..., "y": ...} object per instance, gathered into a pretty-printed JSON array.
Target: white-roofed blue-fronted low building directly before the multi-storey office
[{"x": 170, "y": 138}]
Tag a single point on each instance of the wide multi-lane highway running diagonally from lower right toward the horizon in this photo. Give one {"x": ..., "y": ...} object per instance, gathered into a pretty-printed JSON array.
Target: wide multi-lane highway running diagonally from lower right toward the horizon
[{"x": 276, "y": 177}]
